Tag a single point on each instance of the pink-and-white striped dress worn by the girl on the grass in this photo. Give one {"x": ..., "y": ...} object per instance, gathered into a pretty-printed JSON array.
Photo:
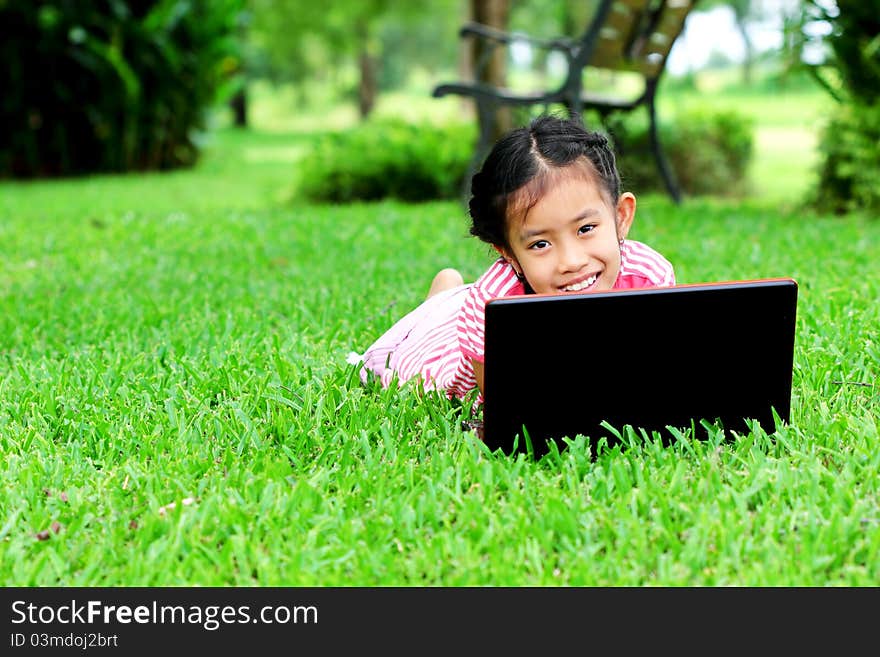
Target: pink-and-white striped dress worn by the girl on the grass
[{"x": 440, "y": 338}]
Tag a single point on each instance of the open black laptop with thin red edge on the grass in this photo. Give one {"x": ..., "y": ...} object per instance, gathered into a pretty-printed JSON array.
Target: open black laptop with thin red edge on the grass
[{"x": 565, "y": 365}]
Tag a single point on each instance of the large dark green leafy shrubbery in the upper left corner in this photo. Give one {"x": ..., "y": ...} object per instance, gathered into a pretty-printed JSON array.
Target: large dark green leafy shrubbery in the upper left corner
[{"x": 109, "y": 85}]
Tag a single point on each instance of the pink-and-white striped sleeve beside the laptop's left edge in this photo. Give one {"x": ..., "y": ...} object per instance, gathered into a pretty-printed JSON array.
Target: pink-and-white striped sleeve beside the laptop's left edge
[{"x": 498, "y": 281}]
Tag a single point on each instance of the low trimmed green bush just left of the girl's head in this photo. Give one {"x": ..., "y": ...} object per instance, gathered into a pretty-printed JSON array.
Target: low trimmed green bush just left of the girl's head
[{"x": 388, "y": 158}]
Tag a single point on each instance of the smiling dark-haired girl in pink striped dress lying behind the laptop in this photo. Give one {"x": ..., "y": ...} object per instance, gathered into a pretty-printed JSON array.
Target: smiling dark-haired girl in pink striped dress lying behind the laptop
[{"x": 548, "y": 200}]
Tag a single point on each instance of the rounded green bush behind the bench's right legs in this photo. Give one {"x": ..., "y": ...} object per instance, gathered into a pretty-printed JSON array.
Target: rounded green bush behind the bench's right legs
[{"x": 709, "y": 152}]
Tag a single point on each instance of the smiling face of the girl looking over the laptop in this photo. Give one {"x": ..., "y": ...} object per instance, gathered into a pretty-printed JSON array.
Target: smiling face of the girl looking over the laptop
[{"x": 569, "y": 241}]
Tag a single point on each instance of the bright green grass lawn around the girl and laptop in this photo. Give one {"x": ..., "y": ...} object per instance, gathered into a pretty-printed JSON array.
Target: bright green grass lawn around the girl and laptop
[{"x": 175, "y": 407}]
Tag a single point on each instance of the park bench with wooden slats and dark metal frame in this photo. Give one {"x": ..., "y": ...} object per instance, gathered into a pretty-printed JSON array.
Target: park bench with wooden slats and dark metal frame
[{"x": 634, "y": 36}]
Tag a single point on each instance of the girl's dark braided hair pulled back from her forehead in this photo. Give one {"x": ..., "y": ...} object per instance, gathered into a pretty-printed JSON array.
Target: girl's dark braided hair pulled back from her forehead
[{"x": 527, "y": 162}]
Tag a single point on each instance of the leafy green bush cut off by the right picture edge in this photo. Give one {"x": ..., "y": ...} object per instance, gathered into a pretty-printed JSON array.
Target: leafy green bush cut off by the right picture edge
[{"x": 849, "y": 171}]
